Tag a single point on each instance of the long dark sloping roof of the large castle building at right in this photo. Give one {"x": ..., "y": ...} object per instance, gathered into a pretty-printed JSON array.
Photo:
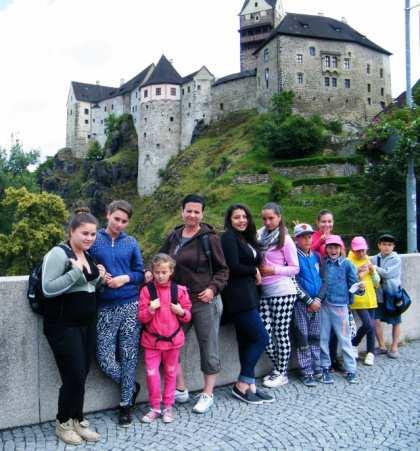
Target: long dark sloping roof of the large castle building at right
[{"x": 320, "y": 27}]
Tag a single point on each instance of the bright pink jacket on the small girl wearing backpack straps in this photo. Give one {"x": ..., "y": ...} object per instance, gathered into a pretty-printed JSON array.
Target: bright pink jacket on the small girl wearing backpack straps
[{"x": 163, "y": 321}]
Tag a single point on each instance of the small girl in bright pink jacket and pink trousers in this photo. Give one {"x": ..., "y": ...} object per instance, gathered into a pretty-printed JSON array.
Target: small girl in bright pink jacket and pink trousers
[{"x": 163, "y": 306}]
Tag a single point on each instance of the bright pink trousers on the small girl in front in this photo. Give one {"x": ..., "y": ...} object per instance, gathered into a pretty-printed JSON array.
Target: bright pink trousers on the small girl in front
[{"x": 170, "y": 361}]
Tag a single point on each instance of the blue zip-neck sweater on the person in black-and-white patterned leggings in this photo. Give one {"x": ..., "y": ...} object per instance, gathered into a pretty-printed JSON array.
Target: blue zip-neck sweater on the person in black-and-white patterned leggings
[{"x": 123, "y": 256}]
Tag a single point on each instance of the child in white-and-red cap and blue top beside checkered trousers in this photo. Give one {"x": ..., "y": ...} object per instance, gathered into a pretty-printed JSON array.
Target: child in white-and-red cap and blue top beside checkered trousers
[{"x": 306, "y": 324}]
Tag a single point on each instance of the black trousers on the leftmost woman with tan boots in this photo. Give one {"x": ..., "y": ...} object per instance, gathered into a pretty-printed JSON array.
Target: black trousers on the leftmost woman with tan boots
[{"x": 73, "y": 348}]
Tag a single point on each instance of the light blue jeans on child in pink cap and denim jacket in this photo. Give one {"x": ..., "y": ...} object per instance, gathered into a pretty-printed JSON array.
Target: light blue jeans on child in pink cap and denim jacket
[{"x": 336, "y": 318}]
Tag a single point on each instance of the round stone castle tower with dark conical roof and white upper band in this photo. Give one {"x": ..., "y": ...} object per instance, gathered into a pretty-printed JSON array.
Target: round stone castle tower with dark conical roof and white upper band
[{"x": 160, "y": 124}]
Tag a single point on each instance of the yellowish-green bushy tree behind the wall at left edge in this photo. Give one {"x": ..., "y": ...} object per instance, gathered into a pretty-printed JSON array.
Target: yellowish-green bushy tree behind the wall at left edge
[{"x": 36, "y": 225}]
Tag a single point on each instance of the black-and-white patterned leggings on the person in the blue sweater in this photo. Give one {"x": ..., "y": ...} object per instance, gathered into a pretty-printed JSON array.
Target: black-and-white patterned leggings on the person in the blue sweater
[{"x": 118, "y": 333}]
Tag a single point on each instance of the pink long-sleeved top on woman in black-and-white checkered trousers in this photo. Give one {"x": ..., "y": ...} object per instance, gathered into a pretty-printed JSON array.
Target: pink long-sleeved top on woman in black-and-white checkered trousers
[{"x": 285, "y": 261}]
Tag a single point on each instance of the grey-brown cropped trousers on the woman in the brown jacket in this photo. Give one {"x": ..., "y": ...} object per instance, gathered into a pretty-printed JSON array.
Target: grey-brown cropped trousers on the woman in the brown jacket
[{"x": 206, "y": 322}]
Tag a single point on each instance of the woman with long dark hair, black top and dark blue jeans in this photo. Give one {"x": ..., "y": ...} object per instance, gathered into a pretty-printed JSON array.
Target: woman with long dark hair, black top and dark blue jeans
[{"x": 241, "y": 300}]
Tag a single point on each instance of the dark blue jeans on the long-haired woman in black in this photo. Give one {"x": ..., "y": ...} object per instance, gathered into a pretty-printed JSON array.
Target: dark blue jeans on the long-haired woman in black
[{"x": 252, "y": 339}]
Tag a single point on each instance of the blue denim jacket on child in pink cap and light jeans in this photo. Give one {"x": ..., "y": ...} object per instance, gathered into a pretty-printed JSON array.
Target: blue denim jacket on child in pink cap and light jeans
[{"x": 337, "y": 277}]
